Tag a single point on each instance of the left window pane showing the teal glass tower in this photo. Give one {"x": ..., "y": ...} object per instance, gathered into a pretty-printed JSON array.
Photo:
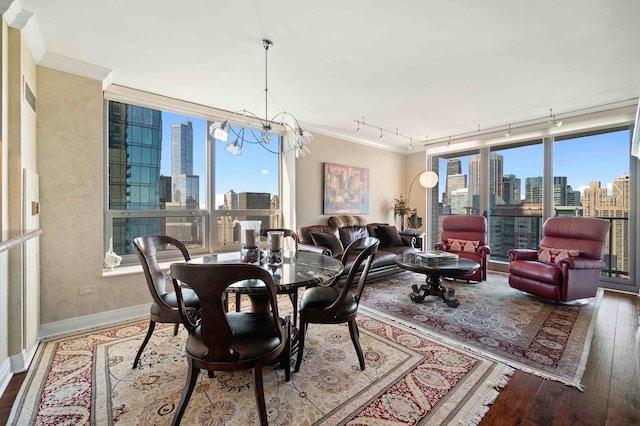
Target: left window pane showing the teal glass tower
[{"x": 156, "y": 185}]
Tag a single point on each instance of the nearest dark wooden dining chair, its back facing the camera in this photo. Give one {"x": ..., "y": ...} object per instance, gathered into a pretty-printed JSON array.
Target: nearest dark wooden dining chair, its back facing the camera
[{"x": 229, "y": 341}]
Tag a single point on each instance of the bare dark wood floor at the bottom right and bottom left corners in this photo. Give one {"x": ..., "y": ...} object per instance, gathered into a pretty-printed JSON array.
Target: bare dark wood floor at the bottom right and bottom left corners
[{"x": 611, "y": 380}]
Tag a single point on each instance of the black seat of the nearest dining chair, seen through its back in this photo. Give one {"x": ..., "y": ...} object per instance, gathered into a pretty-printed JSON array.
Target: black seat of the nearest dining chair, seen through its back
[{"x": 253, "y": 336}]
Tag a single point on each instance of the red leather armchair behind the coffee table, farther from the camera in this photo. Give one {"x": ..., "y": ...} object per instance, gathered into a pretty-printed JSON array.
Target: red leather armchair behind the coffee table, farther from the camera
[{"x": 466, "y": 235}]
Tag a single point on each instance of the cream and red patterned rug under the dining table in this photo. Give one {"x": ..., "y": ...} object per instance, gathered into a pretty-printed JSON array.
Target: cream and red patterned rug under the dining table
[{"x": 409, "y": 379}]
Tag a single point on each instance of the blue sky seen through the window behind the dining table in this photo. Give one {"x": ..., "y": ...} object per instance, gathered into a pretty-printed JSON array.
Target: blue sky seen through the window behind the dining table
[{"x": 255, "y": 170}]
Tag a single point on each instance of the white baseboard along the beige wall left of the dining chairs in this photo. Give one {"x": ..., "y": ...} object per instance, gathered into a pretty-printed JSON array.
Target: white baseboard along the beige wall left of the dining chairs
[{"x": 87, "y": 322}]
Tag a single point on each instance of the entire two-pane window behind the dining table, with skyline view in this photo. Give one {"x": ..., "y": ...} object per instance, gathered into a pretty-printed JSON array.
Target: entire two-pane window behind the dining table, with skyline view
[{"x": 161, "y": 178}]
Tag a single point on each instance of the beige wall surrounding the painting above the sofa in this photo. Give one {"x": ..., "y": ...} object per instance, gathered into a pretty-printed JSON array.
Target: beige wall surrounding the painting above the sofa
[{"x": 386, "y": 178}]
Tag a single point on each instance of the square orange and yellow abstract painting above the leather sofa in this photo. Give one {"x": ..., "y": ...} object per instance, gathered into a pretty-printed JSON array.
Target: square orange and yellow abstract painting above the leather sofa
[{"x": 346, "y": 189}]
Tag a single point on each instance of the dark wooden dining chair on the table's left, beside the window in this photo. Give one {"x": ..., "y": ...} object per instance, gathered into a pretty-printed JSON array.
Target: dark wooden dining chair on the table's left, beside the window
[{"x": 164, "y": 308}]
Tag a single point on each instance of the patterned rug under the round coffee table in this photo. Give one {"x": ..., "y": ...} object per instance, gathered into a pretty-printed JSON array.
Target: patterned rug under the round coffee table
[{"x": 497, "y": 321}]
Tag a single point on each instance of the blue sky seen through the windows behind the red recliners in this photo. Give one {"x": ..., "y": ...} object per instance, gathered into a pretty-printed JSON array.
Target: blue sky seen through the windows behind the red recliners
[{"x": 582, "y": 160}]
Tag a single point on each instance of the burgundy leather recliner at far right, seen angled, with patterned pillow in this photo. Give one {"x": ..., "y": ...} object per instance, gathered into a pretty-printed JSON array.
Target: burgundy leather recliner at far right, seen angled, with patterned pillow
[{"x": 568, "y": 264}]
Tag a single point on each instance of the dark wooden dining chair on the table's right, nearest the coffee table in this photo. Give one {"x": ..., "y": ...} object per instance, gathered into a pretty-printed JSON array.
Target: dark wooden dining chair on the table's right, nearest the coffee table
[{"x": 338, "y": 302}]
